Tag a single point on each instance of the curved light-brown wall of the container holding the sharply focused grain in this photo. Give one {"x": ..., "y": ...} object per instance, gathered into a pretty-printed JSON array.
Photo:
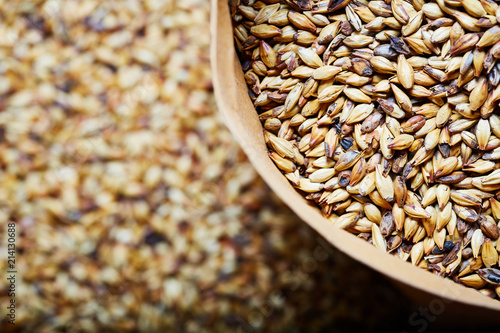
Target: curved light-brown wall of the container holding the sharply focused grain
[{"x": 442, "y": 297}]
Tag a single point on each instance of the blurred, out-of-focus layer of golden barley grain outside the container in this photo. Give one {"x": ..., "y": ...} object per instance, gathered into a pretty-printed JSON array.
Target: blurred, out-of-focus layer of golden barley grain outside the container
[{"x": 136, "y": 211}]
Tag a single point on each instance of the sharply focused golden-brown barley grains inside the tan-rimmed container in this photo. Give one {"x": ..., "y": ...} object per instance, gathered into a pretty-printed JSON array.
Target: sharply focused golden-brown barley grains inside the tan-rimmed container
[{"x": 385, "y": 114}]
